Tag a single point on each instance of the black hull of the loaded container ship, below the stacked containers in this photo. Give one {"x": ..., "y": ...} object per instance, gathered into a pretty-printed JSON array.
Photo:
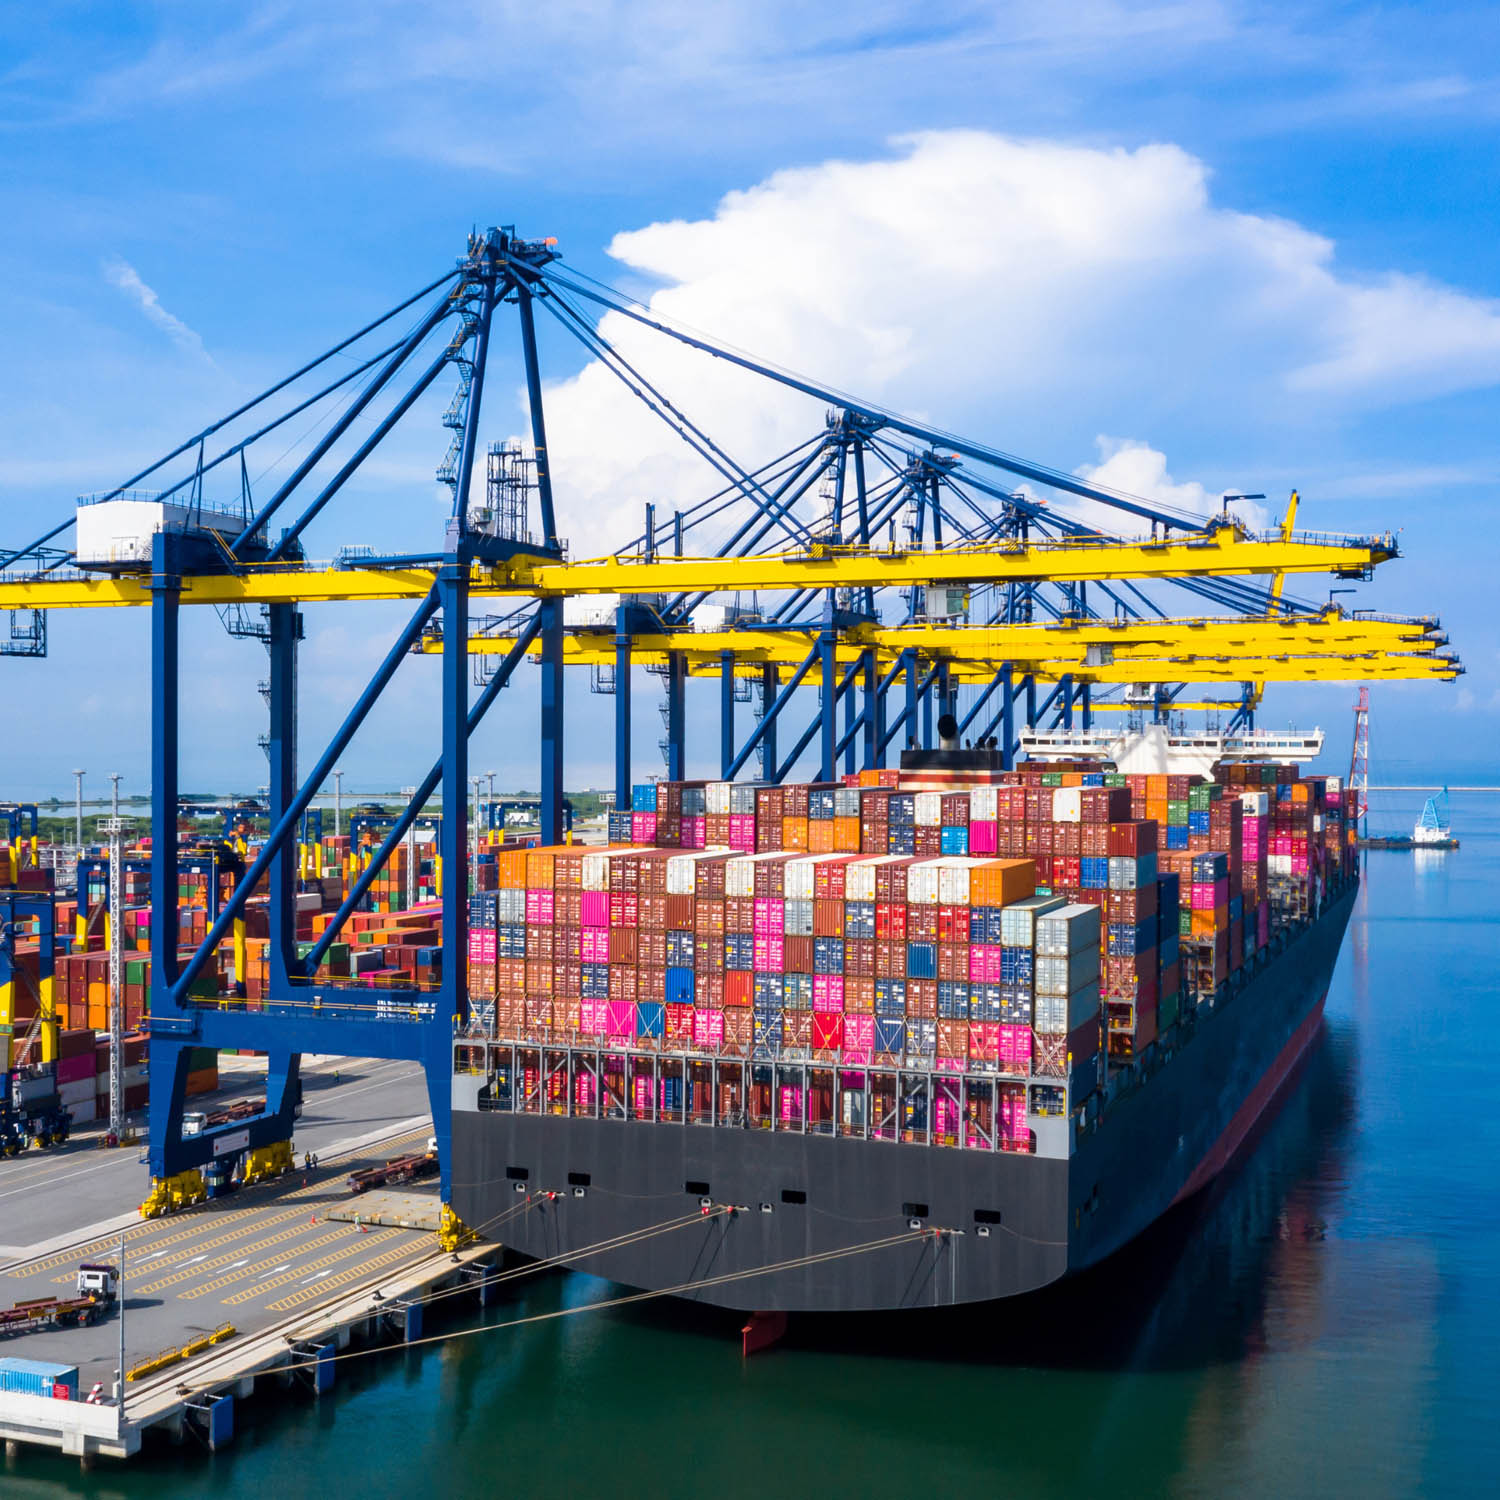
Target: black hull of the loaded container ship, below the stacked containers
[{"x": 1157, "y": 1144}]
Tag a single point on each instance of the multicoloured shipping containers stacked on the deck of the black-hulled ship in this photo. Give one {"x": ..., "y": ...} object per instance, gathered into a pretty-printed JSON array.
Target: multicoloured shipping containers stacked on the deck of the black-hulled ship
[{"x": 1009, "y": 925}]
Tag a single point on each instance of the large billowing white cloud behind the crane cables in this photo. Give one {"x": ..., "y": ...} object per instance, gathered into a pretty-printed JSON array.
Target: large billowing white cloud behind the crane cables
[{"x": 1025, "y": 293}]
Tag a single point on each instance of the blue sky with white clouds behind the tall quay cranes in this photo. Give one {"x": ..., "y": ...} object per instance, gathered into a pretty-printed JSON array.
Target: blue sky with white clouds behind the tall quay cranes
[{"x": 1178, "y": 248}]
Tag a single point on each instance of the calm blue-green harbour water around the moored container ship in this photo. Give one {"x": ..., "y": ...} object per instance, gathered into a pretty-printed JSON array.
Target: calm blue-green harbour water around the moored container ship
[{"x": 1327, "y": 1322}]
